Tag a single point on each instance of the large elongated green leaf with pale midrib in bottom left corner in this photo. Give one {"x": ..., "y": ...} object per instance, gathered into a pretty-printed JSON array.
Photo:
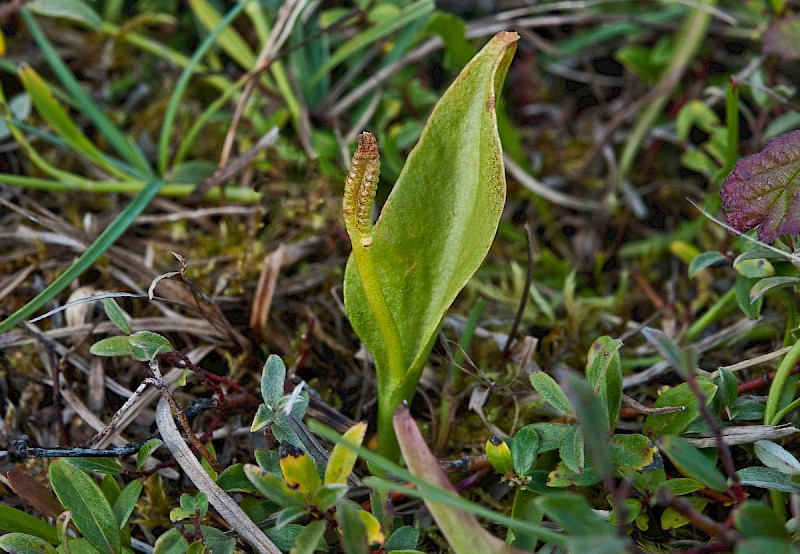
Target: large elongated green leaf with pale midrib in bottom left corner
[{"x": 91, "y": 512}]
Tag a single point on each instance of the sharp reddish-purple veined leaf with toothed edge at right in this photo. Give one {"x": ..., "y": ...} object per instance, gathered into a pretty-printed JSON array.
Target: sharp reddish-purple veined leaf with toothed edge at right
[{"x": 764, "y": 189}]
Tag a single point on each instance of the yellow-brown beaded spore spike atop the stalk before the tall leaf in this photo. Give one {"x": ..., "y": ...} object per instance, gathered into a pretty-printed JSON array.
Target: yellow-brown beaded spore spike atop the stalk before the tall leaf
[{"x": 359, "y": 190}]
